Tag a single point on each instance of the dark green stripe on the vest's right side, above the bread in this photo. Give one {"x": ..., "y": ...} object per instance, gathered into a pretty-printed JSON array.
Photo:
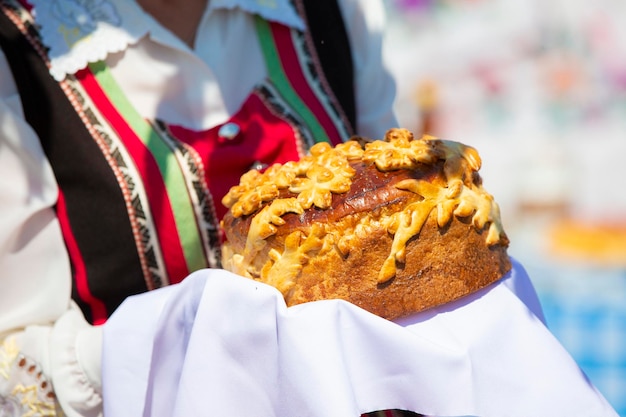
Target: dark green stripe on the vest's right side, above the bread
[{"x": 280, "y": 80}]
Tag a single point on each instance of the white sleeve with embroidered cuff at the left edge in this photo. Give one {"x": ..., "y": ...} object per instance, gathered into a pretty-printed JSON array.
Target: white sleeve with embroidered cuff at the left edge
[{"x": 45, "y": 343}]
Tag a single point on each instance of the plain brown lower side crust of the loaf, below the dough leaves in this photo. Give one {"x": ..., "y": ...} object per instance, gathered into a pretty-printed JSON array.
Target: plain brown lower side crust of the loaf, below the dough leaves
[{"x": 435, "y": 272}]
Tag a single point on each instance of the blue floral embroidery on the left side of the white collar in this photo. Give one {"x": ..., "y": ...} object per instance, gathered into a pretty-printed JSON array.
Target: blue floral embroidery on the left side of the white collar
[{"x": 79, "y": 18}]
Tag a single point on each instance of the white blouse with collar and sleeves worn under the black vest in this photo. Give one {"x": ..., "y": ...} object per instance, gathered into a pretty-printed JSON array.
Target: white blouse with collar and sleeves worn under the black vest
[{"x": 164, "y": 79}]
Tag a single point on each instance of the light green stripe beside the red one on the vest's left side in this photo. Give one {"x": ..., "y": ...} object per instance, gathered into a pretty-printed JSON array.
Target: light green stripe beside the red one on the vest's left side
[{"x": 169, "y": 167}]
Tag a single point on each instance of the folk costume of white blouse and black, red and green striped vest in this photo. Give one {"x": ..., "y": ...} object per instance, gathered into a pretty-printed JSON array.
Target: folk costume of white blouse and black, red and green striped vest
[{"x": 139, "y": 137}]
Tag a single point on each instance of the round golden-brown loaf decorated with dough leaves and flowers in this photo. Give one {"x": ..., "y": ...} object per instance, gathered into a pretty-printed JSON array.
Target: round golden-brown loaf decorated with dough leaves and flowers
[{"x": 393, "y": 237}]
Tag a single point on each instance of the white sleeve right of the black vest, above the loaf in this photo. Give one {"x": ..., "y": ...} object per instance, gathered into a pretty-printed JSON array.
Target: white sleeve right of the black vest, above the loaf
[{"x": 375, "y": 88}]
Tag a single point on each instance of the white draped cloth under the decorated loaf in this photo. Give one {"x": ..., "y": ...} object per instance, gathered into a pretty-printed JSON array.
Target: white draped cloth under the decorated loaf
[{"x": 219, "y": 344}]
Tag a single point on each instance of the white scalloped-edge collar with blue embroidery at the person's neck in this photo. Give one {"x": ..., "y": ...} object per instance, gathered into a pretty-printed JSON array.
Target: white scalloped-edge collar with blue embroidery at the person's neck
[{"x": 79, "y": 32}]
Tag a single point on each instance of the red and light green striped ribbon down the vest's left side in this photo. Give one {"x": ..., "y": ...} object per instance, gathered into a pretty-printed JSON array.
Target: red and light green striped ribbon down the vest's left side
[{"x": 163, "y": 176}]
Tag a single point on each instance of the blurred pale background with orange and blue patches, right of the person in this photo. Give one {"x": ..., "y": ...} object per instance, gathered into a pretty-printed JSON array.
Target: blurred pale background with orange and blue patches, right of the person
[{"x": 539, "y": 88}]
